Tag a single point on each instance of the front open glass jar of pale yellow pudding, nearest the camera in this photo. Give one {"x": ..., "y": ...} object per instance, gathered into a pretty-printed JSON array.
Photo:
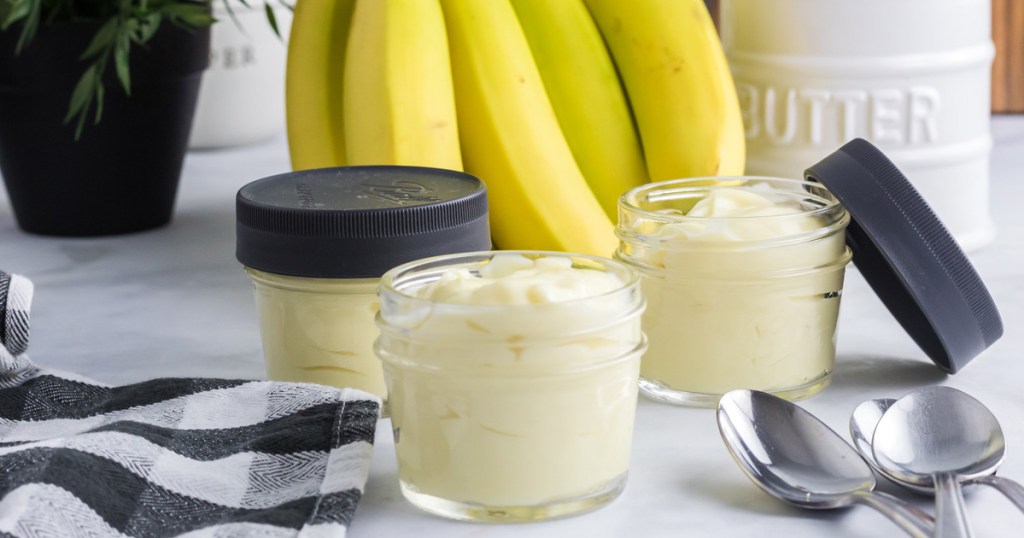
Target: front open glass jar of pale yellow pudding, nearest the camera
[{"x": 514, "y": 397}]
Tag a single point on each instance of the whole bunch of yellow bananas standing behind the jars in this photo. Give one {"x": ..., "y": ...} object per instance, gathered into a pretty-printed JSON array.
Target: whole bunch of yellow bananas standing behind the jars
[{"x": 560, "y": 107}]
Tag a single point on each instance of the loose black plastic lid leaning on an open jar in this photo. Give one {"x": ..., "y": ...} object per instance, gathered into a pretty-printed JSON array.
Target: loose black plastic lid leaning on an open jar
[{"x": 909, "y": 257}]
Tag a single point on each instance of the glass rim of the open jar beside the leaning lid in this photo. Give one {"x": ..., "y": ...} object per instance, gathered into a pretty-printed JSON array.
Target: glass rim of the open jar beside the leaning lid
[{"x": 672, "y": 189}]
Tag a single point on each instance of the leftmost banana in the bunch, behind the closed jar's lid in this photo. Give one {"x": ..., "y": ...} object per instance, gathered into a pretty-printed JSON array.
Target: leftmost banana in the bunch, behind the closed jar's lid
[{"x": 314, "y": 82}]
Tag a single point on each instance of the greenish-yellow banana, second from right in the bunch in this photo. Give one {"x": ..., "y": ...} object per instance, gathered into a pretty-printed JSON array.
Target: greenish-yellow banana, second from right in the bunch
[{"x": 586, "y": 95}]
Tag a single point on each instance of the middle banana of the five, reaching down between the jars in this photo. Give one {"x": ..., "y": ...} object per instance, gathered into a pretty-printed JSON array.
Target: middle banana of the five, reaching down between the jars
[{"x": 511, "y": 139}]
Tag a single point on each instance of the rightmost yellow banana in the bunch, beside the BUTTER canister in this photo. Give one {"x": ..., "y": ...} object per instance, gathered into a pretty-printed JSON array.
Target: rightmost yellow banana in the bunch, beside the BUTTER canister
[{"x": 679, "y": 86}]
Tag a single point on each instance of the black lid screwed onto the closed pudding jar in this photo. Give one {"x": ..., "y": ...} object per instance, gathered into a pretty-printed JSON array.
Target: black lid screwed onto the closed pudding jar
[{"x": 358, "y": 222}]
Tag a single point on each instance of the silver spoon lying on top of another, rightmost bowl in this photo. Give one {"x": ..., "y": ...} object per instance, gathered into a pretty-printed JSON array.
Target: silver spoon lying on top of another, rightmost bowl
[{"x": 940, "y": 436}]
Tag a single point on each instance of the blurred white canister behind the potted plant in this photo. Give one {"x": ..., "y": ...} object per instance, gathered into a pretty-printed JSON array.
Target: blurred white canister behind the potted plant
[{"x": 242, "y": 100}]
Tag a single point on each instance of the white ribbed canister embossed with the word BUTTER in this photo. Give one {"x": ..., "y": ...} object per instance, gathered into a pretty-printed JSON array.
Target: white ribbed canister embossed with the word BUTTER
[{"x": 912, "y": 76}]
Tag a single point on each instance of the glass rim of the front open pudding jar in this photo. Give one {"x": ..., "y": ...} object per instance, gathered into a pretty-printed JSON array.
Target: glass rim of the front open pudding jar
[{"x": 392, "y": 279}]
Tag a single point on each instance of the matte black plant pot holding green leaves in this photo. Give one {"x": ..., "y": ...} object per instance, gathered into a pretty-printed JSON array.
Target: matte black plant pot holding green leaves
[{"x": 123, "y": 175}]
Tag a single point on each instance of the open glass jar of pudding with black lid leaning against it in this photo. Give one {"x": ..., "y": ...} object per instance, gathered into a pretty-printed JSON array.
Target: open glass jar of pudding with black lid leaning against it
[{"x": 743, "y": 278}]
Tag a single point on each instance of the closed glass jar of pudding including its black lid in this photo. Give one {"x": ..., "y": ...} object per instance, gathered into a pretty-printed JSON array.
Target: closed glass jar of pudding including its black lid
[{"x": 316, "y": 243}]
